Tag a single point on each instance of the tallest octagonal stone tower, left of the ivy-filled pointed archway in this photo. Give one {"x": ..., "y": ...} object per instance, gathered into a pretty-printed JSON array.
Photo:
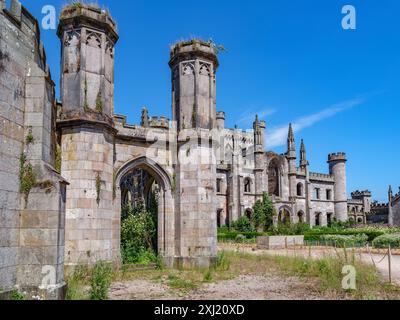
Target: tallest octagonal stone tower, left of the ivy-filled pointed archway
[{"x": 88, "y": 36}]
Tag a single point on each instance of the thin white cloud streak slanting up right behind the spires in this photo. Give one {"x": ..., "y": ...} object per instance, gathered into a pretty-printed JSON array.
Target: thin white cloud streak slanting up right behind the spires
[{"x": 277, "y": 136}]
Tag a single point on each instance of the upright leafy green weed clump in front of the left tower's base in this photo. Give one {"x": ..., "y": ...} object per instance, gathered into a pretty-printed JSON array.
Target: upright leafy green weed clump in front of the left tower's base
[{"x": 100, "y": 281}]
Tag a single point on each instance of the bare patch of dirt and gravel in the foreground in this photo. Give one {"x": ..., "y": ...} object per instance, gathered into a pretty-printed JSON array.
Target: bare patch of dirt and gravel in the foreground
[{"x": 249, "y": 287}]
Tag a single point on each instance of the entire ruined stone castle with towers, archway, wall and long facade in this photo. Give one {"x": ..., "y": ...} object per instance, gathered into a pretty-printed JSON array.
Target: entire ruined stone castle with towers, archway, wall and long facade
[{"x": 67, "y": 167}]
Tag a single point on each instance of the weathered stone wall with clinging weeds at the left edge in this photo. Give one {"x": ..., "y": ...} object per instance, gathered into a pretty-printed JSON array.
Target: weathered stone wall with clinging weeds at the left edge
[{"x": 32, "y": 207}]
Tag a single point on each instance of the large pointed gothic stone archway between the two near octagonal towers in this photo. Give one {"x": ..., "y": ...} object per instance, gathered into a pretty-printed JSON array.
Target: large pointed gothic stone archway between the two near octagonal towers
[{"x": 143, "y": 181}]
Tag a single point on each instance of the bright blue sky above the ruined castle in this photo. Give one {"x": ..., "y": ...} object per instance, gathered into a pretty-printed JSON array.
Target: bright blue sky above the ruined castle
[{"x": 289, "y": 61}]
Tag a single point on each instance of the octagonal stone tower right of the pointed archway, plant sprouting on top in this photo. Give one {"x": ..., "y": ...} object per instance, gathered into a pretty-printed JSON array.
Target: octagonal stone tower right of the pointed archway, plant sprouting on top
[{"x": 193, "y": 65}]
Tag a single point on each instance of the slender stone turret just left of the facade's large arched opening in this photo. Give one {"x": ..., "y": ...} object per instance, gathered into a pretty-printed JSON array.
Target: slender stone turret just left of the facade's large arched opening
[{"x": 261, "y": 180}]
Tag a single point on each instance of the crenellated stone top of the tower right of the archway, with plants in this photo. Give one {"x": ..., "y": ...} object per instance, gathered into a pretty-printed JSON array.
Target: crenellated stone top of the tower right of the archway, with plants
[{"x": 194, "y": 47}]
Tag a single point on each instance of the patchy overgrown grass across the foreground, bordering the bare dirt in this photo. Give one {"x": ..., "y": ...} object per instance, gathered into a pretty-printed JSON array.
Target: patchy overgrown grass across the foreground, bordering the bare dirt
[{"x": 323, "y": 277}]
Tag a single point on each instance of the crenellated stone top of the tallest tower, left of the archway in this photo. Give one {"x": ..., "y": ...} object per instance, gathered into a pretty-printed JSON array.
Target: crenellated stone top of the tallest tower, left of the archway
[{"x": 88, "y": 14}]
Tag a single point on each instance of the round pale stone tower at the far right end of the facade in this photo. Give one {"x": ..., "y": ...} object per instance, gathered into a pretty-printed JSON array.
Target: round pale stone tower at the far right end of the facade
[{"x": 337, "y": 168}]
